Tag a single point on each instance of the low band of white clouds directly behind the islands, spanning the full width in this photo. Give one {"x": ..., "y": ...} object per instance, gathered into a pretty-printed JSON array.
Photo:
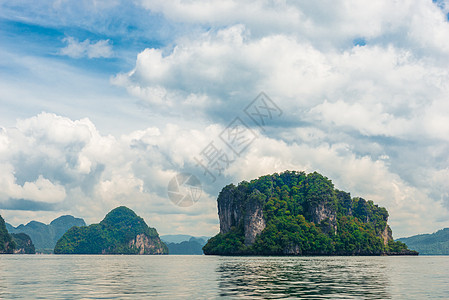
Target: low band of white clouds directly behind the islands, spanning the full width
[{"x": 54, "y": 160}]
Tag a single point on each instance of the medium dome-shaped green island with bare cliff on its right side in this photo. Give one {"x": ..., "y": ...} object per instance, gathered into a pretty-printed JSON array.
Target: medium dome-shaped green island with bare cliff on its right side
[{"x": 120, "y": 232}]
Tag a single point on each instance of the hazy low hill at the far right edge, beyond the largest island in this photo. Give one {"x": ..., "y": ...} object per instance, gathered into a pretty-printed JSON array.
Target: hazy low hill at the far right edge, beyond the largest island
[{"x": 429, "y": 244}]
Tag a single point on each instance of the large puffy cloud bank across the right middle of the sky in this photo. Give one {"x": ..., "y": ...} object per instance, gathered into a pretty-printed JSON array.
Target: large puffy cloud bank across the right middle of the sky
[{"x": 385, "y": 86}]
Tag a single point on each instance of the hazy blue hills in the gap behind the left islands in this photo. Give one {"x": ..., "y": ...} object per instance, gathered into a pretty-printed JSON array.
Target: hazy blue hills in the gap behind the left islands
[{"x": 45, "y": 236}]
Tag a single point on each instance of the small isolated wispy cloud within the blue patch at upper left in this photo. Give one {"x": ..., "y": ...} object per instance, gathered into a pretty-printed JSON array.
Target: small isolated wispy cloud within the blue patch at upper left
[{"x": 86, "y": 48}]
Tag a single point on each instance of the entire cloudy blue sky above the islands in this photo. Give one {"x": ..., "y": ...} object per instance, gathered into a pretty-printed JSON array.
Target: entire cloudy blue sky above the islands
[{"x": 103, "y": 103}]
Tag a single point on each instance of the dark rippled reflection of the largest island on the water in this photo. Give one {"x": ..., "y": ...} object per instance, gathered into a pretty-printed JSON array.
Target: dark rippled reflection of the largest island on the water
[{"x": 323, "y": 277}]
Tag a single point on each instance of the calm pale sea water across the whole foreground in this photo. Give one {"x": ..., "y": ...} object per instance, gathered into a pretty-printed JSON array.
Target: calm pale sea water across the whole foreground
[{"x": 211, "y": 277}]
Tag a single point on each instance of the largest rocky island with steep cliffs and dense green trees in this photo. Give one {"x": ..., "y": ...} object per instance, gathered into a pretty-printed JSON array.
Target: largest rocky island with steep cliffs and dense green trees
[{"x": 294, "y": 213}]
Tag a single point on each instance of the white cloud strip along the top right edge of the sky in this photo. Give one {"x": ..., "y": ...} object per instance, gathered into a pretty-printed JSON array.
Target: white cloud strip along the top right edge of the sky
[{"x": 324, "y": 24}]
